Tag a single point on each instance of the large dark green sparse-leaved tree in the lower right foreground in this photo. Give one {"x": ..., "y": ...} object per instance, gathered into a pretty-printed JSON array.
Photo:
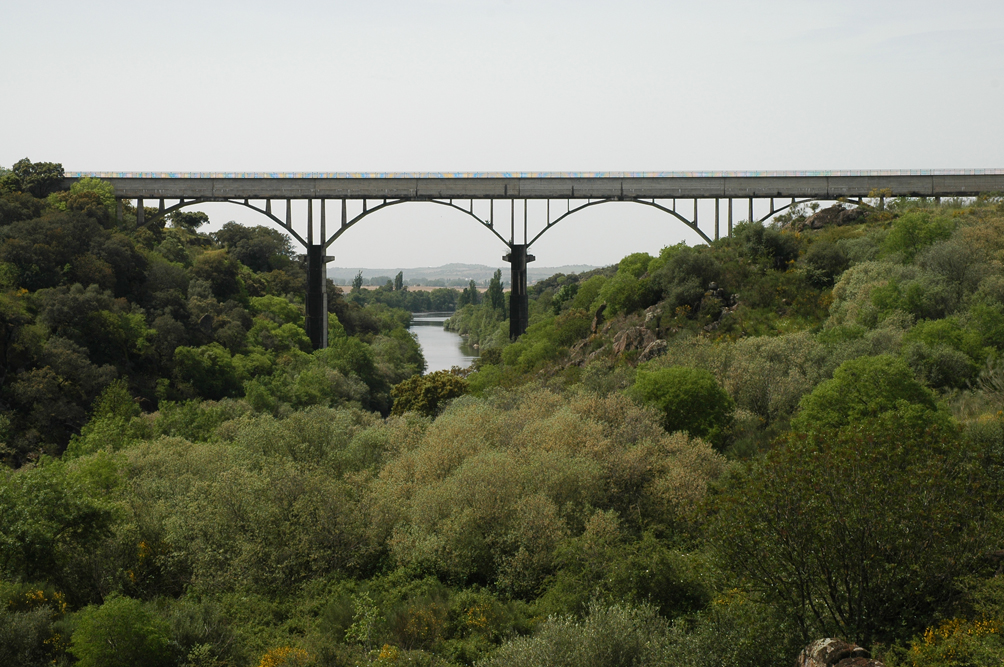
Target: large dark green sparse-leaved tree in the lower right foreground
[{"x": 864, "y": 532}]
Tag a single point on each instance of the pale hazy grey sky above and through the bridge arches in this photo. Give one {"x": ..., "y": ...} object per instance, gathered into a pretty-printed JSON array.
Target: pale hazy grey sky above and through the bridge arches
[{"x": 501, "y": 86}]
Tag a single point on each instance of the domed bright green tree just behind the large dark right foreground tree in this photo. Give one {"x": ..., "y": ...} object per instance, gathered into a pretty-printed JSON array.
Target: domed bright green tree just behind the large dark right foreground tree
[{"x": 861, "y": 389}]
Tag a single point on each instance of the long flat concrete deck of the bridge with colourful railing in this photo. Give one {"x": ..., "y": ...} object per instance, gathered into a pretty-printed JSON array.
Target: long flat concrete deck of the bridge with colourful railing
[{"x": 550, "y": 185}]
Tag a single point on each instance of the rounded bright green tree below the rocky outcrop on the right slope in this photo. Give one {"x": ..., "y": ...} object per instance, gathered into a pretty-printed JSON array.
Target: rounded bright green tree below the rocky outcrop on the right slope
[{"x": 690, "y": 399}]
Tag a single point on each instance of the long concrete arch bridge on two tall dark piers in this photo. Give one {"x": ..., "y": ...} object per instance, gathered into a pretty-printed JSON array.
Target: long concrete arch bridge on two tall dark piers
[{"x": 356, "y": 196}]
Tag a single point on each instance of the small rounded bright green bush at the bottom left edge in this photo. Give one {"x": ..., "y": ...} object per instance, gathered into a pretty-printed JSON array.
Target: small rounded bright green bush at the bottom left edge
[{"x": 121, "y": 633}]
